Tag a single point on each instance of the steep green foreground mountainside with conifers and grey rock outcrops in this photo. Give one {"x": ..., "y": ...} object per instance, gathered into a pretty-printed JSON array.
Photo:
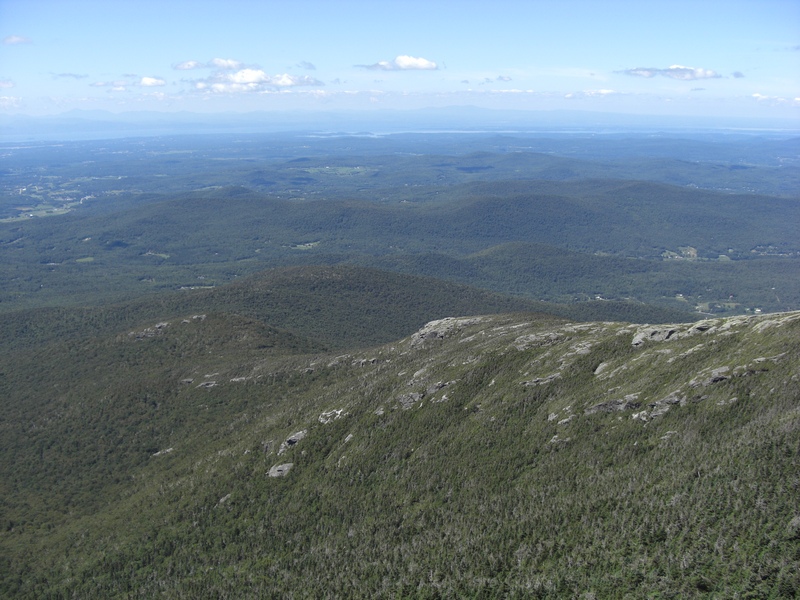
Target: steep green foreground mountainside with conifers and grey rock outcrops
[{"x": 485, "y": 456}]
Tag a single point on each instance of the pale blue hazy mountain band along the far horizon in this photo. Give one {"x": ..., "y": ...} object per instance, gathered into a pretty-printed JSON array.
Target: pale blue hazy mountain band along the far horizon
[{"x": 92, "y": 124}]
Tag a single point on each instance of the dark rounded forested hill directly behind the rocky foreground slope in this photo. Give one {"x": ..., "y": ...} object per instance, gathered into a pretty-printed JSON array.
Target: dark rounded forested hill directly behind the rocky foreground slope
[{"x": 337, "y": 306}]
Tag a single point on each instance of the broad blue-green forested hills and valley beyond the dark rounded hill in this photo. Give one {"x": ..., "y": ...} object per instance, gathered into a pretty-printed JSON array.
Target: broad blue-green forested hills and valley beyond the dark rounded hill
[{"x": 677, "y": 247}]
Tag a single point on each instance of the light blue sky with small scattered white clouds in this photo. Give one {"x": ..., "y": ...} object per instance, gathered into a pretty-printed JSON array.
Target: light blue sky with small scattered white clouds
[{"x": 738, "y": 58}]
